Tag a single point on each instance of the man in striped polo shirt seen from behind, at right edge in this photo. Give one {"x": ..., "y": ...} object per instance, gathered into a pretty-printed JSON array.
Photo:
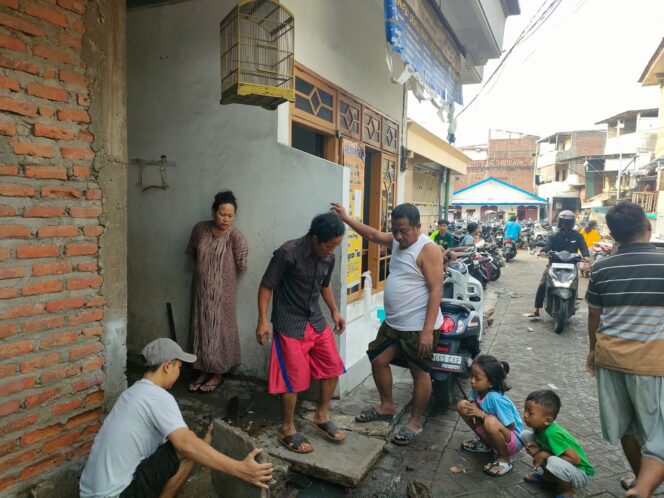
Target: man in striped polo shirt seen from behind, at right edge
[{"x": 626, "y": 330}]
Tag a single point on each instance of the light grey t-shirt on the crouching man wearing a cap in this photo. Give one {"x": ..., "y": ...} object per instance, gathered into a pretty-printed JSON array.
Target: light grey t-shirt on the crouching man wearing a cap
[{"x": 142, "y": 418}]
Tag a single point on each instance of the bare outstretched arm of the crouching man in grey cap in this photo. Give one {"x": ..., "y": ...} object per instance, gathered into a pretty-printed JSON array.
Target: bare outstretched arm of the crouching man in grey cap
[{"x": 191, "y": 446}]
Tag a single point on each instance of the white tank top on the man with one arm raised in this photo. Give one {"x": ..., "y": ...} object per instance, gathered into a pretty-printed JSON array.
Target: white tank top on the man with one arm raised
[{"x": 406, "y": 292}]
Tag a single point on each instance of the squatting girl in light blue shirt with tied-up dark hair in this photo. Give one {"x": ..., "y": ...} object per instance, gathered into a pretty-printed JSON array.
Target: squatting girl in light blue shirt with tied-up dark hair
[{"x": 492, "y": 415}]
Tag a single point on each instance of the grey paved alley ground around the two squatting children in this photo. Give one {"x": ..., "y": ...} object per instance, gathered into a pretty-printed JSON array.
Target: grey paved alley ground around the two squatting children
[{"x": 539, "y": 359}]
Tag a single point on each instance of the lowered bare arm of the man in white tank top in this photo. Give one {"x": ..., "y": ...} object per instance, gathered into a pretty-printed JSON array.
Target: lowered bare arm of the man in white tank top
[{"x": 432, "y": 268}]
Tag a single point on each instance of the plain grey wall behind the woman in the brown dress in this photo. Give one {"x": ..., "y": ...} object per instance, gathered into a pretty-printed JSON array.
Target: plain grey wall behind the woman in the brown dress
[{"x": 173, "y": 109}]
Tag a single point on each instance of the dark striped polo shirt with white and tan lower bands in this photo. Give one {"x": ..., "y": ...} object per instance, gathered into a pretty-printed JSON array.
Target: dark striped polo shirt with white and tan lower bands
[{"x": 629, "y": 289}]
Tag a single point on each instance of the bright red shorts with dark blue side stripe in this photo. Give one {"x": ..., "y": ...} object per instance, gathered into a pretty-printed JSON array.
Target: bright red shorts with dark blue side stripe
[{"x": 294, "y": 362}]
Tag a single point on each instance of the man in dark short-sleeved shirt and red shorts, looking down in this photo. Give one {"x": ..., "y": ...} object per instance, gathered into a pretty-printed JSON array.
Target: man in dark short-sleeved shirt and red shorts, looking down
[{"x": 303, "y": 346}]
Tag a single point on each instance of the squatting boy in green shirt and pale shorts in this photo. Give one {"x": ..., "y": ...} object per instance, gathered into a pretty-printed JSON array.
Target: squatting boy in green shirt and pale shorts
[{"x": 557, "y": 456}]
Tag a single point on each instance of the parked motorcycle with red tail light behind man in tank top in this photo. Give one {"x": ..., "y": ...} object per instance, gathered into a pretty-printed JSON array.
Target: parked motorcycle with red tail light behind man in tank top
[{"x": 461, "y": 332}]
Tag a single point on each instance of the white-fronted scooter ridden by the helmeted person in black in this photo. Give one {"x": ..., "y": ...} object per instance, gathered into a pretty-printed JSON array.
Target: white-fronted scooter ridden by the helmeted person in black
[{"x": 562, "y": 284}]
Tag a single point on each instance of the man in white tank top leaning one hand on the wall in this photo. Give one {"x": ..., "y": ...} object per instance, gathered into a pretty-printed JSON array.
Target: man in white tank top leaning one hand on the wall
[{"x": 412, "y": 314}]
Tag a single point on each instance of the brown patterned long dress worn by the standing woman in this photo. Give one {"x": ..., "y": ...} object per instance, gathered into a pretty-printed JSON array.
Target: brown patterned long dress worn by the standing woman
[{"x": 213, "y": 330}]
